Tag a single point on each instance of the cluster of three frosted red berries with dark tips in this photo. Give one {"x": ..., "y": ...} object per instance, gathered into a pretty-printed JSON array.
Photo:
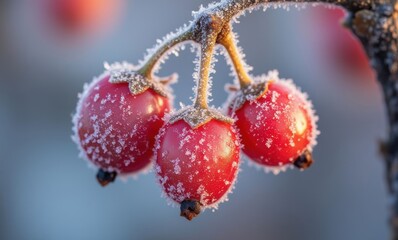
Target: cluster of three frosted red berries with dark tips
[{"x": 124, "y": 122}]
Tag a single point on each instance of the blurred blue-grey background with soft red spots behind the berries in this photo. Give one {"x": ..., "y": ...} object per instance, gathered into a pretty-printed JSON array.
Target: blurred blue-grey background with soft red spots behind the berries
[{"x": 47, "y": 192}]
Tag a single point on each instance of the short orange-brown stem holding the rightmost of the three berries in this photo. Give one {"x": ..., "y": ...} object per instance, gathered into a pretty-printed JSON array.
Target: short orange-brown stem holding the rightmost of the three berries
[{"x": 227, "y": 40}]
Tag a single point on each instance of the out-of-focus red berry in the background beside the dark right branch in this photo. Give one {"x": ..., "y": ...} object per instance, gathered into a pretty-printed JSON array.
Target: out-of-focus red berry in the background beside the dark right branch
[{"x": 340, "y": 46}]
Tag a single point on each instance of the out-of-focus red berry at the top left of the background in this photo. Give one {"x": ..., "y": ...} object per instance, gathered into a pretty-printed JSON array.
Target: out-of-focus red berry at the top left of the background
[{"x": 82, "y": 15}]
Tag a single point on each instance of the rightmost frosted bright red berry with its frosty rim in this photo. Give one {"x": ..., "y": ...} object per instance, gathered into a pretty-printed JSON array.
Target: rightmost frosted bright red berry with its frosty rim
[{"x": 276, "y": 121}]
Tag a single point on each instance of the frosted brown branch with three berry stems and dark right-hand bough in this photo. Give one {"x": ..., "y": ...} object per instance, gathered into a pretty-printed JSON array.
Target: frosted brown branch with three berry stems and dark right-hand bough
[{"x": 374, "y": 22}]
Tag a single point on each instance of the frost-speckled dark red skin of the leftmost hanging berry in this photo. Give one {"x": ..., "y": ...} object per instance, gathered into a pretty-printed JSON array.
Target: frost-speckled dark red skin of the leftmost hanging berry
[{"x": 134, "y": 122}]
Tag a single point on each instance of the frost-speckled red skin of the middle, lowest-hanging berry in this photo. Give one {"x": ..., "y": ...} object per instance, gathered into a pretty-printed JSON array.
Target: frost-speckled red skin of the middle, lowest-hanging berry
[{"x": 197, "y": 164}]
